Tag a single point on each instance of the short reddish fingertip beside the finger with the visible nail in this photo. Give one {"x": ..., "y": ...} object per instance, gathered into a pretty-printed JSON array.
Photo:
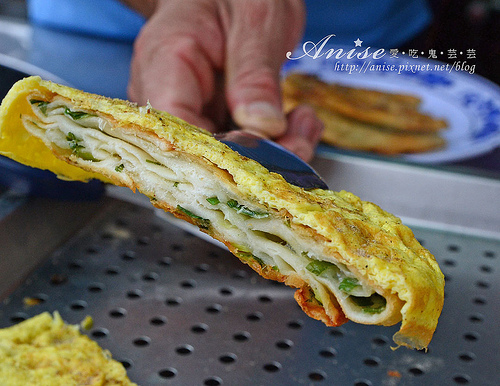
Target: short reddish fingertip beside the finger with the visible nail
[{"x": 304, "y": 132}]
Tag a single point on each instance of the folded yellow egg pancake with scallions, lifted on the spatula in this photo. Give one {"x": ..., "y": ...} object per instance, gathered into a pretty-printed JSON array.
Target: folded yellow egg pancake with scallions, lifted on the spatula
[{"x": 348, "y": 258}]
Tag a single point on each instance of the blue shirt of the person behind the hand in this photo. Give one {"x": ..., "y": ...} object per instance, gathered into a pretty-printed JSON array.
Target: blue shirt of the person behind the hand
[{"x": 382, "y": 23}]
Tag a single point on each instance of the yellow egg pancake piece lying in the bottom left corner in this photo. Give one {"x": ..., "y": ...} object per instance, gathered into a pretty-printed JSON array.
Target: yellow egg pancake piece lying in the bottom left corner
[{"x": 44, "y": 351}]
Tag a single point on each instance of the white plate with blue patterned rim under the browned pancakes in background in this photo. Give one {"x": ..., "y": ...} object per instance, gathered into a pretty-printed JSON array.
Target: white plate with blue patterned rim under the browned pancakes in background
[{"x": 469, "y": 103}]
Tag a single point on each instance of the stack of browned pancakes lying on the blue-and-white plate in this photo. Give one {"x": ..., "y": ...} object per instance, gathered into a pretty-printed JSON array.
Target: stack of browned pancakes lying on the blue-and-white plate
[{"x": 364, "y": 119}]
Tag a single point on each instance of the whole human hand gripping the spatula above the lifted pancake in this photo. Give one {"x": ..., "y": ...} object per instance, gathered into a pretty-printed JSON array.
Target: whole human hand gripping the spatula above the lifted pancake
[{"x": 203, "y": 60}]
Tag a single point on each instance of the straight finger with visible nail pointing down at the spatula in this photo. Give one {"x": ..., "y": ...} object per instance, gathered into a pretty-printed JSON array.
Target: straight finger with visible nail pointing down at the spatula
[{"x": 258, "y": 35}]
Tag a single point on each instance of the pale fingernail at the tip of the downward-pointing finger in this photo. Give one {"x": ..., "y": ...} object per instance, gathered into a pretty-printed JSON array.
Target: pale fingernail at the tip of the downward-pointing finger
[{"x": 262, "y": 116}]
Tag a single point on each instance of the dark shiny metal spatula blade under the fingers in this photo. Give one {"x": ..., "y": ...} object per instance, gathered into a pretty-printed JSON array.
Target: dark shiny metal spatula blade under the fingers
[{"x": 273, "y": 157}]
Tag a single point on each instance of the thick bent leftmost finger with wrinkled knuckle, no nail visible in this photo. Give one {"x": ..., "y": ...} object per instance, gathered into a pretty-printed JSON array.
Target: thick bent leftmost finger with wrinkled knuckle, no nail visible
[{"x": 173, "y": 67}]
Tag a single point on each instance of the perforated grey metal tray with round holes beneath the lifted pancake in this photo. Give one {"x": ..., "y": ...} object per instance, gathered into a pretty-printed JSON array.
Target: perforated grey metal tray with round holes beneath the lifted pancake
[{"x": 177, "y": 310}]
